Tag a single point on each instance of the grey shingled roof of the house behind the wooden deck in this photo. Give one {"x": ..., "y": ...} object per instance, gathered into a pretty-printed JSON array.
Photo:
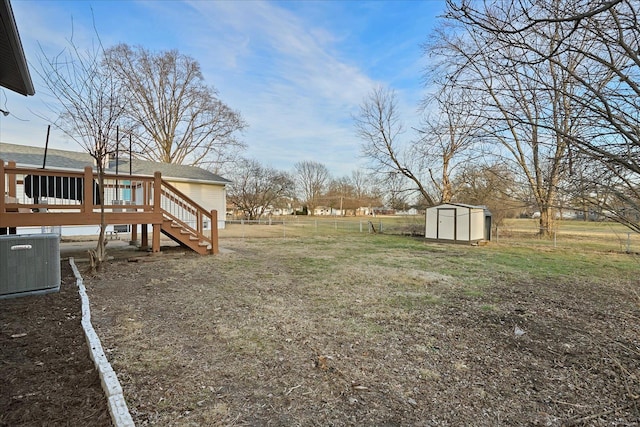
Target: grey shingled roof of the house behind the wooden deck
[{"x": 29, "y": 156}]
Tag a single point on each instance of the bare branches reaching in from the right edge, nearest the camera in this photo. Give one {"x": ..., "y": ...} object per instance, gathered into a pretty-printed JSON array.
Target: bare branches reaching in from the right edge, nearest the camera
[{"x": 608, "y": 81}]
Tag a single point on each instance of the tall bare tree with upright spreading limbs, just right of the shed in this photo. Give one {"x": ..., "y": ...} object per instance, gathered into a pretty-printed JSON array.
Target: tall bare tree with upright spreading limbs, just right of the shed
[{"x": 528, "y": 103}]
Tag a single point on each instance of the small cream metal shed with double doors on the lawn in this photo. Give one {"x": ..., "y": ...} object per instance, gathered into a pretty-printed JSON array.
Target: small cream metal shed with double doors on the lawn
[{"x": 460, "y": 223}]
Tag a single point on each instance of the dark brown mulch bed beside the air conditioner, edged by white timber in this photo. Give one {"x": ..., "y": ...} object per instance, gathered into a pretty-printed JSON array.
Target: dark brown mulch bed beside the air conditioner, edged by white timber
[{"x": 46, "y": 373}]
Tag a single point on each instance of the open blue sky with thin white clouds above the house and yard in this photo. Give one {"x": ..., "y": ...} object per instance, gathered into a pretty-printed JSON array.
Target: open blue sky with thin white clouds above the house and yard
[{"x": 297, "y": 71}]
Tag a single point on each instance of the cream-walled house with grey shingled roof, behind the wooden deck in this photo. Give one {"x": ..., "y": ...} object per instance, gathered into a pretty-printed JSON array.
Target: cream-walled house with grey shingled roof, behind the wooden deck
[{"x": 203, "y": 187}]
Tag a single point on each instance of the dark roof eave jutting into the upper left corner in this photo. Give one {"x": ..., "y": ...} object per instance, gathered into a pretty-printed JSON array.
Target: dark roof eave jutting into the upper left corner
[{"x": 14, "y": 72}]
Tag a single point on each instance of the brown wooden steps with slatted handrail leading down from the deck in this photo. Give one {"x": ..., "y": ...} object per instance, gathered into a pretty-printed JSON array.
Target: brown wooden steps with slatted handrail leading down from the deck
[{"x": 183, "y": 220}]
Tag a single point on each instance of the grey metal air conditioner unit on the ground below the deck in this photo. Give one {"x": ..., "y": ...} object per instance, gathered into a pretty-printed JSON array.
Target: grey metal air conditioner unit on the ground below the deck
[{"x": 29, "y": 264}]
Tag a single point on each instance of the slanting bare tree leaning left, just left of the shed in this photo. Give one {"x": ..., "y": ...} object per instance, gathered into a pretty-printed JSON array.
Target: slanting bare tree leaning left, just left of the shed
[{"x": 380, "y": 127}]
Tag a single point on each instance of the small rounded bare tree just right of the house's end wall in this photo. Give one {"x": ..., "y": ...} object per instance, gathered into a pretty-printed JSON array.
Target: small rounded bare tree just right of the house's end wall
[{"x": 255, "y": 189}]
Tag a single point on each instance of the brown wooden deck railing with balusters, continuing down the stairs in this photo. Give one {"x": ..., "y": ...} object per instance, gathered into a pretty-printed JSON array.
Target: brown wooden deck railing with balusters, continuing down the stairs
[{"x": 46, "y": 197}]
